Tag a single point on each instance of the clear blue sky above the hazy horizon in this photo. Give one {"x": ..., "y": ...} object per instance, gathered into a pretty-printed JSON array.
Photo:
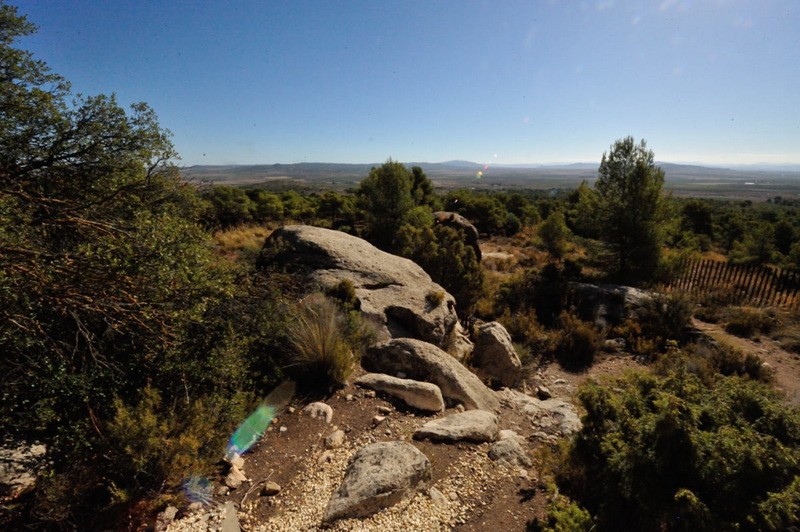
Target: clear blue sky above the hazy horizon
[{"x": 495, "y": 82}]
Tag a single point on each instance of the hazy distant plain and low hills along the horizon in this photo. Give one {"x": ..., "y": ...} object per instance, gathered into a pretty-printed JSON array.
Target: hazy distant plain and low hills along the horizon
[{"x": 457, "y": 173}]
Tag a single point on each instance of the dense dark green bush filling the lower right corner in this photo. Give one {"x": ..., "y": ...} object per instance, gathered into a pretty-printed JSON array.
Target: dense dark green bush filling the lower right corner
[{"x": 668, "y": 453}]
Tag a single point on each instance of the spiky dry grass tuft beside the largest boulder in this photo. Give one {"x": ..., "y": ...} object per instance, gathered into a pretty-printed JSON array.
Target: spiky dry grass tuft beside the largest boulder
[{"x": 320, "y": 348}]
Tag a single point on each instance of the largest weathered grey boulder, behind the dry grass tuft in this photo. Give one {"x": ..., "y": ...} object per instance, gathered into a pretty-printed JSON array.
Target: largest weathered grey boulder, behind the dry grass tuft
[{"x": 392, "y": 290}]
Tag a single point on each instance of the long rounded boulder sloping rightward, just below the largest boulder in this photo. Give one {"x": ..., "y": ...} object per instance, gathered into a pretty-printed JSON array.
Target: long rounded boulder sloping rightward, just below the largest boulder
[{"x": 421, "y": 361}]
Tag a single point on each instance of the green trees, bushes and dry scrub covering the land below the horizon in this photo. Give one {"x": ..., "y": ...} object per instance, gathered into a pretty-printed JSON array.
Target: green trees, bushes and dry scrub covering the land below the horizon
[{"x": 136, "y": 330}]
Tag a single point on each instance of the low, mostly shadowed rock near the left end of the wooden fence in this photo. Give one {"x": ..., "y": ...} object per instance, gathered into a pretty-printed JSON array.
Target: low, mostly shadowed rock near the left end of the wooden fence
[{"x": 608, "y": 304}]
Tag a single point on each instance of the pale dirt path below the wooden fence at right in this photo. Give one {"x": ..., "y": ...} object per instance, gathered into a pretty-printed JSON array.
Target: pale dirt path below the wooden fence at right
[{"x": 785, "y": 364}]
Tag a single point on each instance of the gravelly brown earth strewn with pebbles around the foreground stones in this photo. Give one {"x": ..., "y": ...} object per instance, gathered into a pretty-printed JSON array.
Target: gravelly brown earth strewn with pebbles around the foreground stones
[{"x": 468, "y": 491}]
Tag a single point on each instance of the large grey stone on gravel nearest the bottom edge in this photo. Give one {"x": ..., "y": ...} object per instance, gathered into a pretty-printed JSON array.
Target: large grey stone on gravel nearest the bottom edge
[{"x": 378, "y": 476}]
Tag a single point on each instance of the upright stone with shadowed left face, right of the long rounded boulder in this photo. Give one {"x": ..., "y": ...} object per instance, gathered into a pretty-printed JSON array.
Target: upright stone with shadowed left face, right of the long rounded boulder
[{"x": 494, "y": 358}]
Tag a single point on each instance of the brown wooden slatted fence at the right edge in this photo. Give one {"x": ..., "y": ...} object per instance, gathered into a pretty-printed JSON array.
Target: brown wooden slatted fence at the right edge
[{"x": 740, "y": 285}]
